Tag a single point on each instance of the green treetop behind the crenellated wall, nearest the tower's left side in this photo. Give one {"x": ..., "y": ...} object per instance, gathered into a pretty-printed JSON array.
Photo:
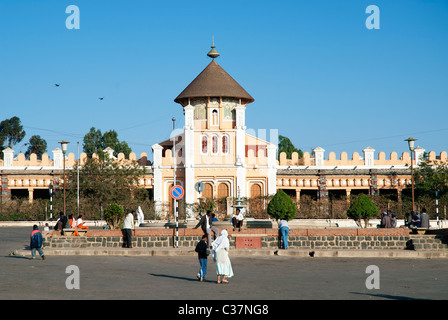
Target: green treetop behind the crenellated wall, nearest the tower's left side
[{"x": 96, "y": 142}]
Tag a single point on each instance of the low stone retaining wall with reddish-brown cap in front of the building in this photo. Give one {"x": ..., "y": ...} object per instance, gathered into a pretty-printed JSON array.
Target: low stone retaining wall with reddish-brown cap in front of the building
[{"x": 341, "y": 239}]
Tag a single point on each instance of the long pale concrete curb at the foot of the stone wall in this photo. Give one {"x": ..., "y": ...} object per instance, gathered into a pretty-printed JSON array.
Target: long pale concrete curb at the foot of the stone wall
[{"x": 143, "y": 252}]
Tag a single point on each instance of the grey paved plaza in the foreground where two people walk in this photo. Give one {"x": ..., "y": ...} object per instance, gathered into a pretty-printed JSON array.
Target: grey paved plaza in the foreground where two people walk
[{"x": 174, "y": 277}]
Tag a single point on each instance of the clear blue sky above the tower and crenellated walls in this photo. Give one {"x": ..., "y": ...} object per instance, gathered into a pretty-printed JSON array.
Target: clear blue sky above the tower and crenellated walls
[{"x": 317, "y": 74}]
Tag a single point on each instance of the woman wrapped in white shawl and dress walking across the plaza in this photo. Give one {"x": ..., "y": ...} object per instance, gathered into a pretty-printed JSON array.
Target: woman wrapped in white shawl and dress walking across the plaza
[{"x": 220, "y": 248}]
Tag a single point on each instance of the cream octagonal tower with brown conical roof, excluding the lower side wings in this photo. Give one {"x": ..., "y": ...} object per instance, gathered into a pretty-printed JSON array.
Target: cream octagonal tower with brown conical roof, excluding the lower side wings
[{"x": 214, "y": 105}]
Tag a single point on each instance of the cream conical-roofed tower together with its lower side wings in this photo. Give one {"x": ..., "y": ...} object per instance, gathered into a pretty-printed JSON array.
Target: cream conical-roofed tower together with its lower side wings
[{"x": 215, "y": 145}]
